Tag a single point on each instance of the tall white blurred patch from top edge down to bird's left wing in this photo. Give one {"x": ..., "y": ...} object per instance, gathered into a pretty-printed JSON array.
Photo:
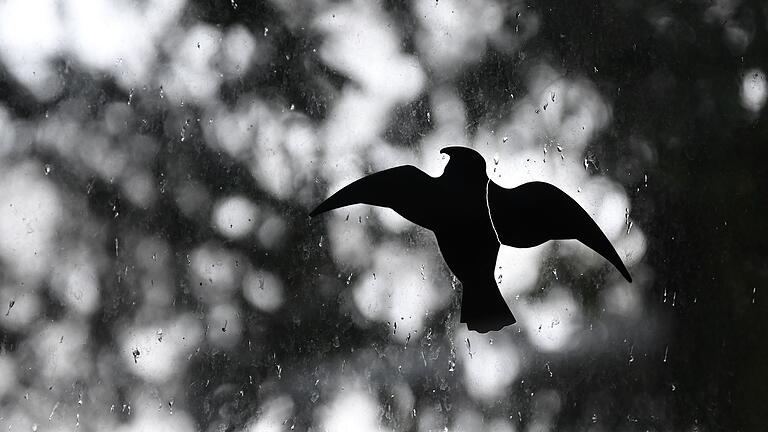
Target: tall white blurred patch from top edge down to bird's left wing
[{"x": 362, "y": 44}]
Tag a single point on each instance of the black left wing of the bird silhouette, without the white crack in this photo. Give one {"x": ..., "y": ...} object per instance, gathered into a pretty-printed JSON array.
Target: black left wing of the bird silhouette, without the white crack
[{"x": 405, "y": 189}]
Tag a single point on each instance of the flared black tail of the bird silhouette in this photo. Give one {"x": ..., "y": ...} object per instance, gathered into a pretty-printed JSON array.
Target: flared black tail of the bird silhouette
[{"x": 483, "y": 308}]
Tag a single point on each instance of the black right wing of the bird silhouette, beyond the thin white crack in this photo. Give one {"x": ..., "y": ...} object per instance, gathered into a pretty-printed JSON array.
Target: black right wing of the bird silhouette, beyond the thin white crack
[{"x": 535, "y": 212}]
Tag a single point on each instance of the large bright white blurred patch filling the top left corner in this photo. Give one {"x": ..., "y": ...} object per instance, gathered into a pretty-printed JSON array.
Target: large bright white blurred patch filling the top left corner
[{"x": 115, "y": 37}]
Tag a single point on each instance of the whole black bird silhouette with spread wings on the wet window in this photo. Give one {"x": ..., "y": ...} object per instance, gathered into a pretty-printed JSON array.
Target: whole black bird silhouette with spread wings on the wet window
[{"x": 471, "y": 217}]
